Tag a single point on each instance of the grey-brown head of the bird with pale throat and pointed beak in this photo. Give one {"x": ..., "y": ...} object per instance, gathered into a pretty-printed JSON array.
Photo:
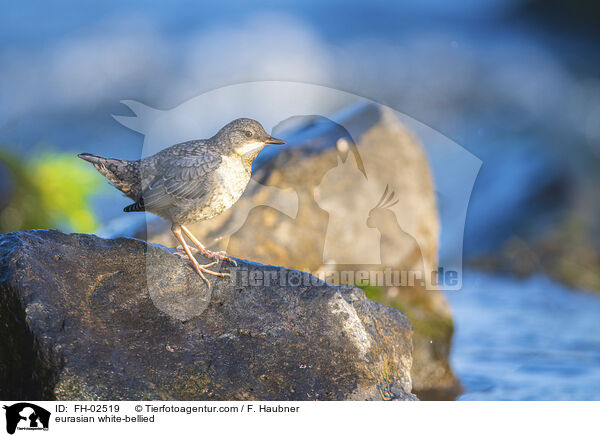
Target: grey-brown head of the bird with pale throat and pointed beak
[{"x": 246, "y": 137}]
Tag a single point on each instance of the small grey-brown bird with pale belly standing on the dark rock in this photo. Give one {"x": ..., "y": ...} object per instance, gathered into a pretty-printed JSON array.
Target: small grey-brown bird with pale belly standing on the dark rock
[{"x": 190, "y": 181}]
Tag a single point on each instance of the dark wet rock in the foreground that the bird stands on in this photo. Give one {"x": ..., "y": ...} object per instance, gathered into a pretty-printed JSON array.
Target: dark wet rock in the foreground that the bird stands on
[{"x": 85, "y": 318}]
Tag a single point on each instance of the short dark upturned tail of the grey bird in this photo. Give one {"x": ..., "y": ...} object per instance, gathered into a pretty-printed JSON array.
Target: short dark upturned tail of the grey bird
[{"x": 124, "y": 175}]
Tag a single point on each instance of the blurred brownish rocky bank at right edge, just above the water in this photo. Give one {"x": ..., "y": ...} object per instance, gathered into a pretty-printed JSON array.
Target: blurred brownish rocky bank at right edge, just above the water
[{"x": 565, "y": 245}]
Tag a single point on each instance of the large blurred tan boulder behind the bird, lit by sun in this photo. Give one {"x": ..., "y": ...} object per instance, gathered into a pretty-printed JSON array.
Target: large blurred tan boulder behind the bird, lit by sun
[{"x": 340, "y": 172}]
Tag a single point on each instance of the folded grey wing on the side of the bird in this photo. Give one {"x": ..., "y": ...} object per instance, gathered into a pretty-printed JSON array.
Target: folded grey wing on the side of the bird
[{"x": 179, "y": 178}]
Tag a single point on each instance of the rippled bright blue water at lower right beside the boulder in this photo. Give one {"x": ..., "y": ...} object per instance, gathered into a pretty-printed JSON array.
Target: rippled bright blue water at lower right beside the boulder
[{"x": 526, "y": 339}]
